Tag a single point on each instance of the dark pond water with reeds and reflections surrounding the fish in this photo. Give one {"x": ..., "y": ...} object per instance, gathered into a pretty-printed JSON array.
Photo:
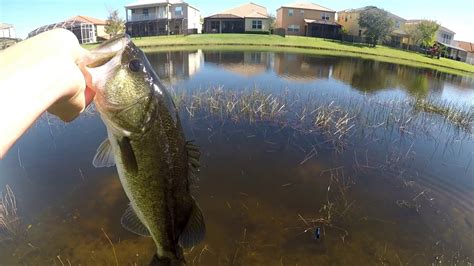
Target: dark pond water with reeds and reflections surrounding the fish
[{"x": 306, "y": 159}]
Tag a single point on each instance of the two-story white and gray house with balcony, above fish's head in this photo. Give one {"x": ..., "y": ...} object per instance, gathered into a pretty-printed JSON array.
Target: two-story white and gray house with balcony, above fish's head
[{"x": 162, "y": 17}]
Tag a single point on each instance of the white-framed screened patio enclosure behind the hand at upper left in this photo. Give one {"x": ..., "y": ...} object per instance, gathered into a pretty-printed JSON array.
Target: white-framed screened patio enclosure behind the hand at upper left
[{"x": 85, "y": 32}]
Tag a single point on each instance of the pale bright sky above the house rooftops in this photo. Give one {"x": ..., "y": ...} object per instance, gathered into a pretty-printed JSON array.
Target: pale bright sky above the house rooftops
[{"x": 27, "y": 15}]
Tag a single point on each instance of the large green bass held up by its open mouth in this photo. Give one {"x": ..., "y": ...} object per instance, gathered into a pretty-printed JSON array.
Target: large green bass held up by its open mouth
[{"x": 146, "y": 143}]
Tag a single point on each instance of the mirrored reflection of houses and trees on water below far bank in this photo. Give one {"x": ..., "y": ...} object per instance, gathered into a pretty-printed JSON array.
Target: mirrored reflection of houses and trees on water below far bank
[{"x": 278, "y": 67}]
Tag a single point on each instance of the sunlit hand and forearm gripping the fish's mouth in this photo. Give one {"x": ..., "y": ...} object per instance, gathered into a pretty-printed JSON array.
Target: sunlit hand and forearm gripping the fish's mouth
[{"x": 45, "y": 72}]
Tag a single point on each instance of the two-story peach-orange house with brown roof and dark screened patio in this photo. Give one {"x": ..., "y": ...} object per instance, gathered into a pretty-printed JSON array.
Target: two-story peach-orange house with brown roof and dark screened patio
[{"x": 307, "y": 19}]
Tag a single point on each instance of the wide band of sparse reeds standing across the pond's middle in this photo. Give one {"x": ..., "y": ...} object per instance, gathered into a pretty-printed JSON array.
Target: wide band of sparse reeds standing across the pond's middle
[{"x": 337, "y": 119}]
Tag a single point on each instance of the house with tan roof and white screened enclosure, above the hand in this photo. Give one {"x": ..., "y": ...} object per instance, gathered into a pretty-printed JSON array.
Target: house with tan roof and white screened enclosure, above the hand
[{"x": 85, "y": 28}]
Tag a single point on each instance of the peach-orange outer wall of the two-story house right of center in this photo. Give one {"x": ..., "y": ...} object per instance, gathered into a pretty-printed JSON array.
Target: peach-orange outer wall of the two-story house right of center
[{"x": 298, "y": 17}]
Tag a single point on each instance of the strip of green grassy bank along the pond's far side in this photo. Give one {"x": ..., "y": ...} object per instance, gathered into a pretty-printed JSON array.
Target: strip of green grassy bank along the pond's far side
[{"x": 314, "y": 44}]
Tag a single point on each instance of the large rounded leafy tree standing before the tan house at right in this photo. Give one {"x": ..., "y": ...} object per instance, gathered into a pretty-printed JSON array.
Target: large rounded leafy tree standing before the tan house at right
[{"x": 376, "y": 23}]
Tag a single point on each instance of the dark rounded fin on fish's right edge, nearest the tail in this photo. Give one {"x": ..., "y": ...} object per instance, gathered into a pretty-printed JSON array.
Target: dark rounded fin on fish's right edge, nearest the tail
[{"x": 195, "y": 229}]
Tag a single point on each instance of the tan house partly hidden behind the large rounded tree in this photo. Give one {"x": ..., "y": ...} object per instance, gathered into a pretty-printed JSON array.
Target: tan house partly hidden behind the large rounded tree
[{"x": 349, "y": 19}]
